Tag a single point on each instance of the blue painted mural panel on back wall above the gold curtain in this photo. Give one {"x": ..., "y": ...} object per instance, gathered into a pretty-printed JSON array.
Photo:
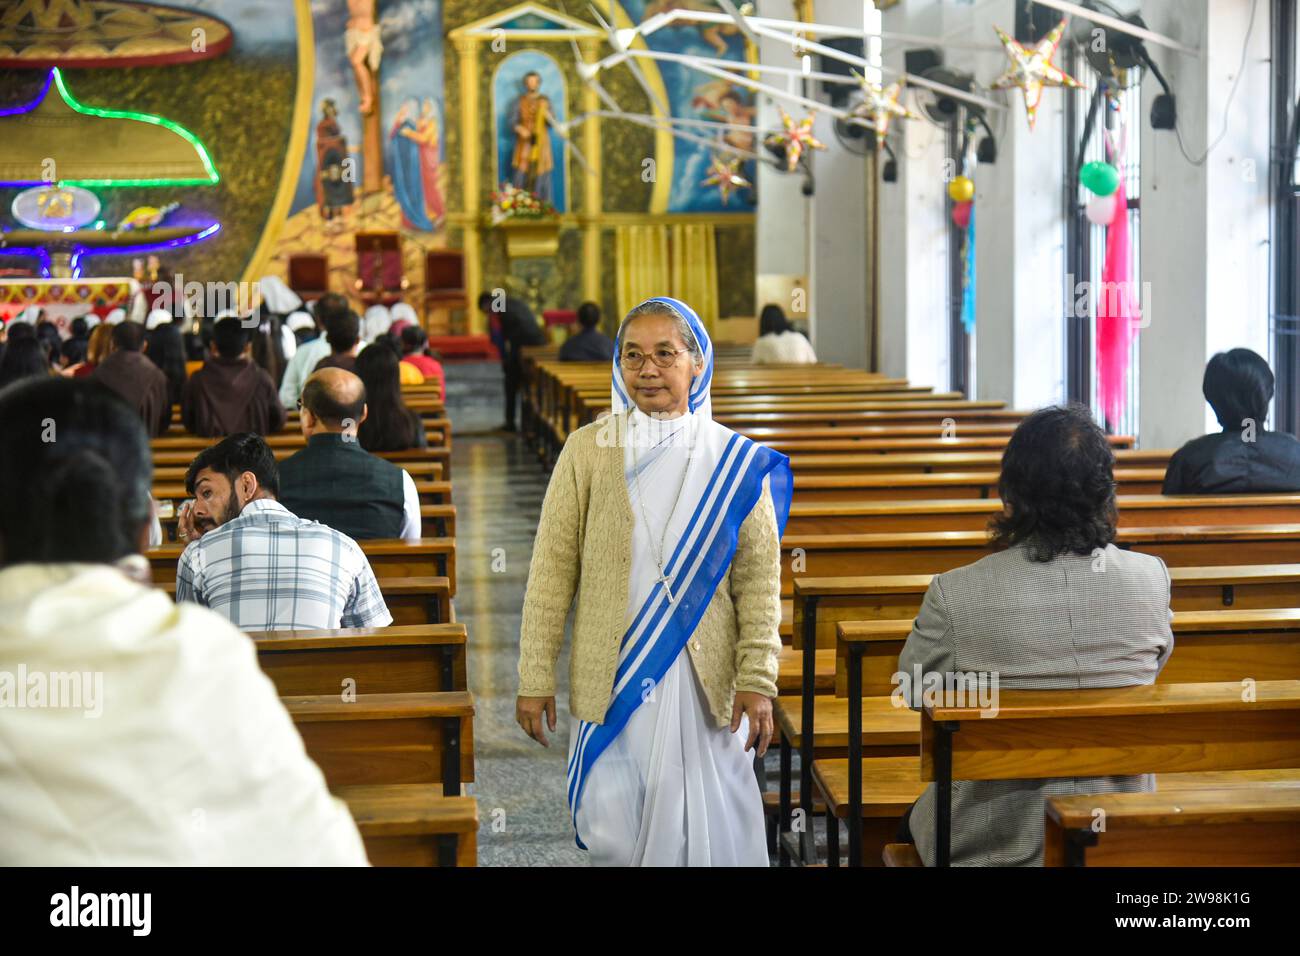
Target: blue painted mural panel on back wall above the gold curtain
[{"x": 699, "y": 97}]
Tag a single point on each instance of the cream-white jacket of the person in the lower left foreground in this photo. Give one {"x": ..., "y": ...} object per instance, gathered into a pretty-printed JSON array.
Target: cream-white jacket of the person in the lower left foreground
[{"x": 179, "y": 751}]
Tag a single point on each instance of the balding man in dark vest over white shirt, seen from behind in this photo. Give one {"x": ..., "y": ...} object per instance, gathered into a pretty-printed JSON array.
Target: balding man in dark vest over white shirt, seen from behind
[{"x": 335, "y": 481}]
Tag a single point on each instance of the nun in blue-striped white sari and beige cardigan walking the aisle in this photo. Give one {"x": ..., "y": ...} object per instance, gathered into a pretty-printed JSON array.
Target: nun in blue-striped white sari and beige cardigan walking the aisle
[{"x": 677, "y": 524}]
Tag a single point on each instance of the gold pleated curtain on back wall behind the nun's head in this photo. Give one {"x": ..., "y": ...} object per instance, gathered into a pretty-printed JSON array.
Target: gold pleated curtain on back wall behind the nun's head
[{"x": 679, "y": 261}]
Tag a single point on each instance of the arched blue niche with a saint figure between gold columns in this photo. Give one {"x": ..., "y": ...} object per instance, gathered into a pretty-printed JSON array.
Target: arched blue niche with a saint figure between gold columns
[{"x": 530, "y": 101}]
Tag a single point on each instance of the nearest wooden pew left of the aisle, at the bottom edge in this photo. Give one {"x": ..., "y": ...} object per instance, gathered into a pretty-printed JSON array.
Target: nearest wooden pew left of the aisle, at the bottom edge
[{"x": 414, "y": 825}]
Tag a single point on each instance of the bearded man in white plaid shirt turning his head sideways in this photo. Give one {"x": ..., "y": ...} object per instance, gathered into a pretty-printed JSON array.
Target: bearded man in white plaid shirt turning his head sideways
[{"x": 258, "y": 564}]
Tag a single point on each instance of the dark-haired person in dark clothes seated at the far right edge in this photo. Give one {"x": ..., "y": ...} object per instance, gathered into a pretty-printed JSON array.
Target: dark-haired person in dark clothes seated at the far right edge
[{"x": 1243, "y": 457}]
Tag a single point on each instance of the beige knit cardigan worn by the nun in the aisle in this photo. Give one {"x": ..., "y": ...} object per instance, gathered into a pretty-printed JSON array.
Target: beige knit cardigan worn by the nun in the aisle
[{"x": 584, "y": 547}]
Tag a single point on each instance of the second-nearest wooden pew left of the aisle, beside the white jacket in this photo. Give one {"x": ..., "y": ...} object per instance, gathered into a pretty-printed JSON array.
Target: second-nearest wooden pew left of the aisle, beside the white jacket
[{"x": 389, "y": 738}]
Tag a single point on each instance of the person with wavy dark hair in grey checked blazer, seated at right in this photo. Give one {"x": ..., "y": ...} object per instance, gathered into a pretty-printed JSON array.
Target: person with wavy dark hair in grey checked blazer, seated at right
[{"x": 1058, "y": 607}]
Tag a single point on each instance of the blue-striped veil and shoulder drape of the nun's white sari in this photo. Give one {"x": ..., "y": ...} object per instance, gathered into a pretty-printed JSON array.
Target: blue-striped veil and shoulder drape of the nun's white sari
[{"x": 722, "y": 483}]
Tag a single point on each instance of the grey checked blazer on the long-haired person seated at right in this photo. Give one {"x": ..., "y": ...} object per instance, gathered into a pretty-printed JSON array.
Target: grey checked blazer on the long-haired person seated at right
[{"x": 1073, "y": 622}]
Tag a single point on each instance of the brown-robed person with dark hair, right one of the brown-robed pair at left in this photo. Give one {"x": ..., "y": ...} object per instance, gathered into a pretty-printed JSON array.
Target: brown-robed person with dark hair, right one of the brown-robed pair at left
[{"x": 231, "y": 395}]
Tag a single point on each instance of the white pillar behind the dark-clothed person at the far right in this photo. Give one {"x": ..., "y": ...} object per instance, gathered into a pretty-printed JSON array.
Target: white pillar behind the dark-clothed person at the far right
[{"x": 1204, "y": 228}]
